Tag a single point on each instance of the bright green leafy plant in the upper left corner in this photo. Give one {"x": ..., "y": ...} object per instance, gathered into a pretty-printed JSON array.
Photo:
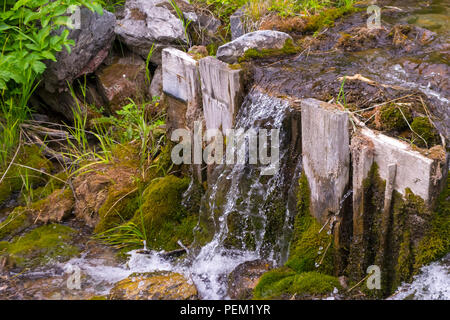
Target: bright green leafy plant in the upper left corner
[{"x": 31, "y": 32}]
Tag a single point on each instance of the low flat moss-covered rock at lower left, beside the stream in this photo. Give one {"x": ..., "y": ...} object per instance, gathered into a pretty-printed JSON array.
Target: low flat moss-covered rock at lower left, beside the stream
[{"x": 43, "y": 245}]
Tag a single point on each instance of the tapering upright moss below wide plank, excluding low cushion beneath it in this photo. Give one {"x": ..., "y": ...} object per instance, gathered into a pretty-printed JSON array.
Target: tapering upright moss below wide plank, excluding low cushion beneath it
[{"x": 307, "y": 241}]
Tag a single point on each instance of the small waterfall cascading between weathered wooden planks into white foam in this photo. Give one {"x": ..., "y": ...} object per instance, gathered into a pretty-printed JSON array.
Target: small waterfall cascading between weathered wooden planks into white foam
[{"x": 251, "y": 214}]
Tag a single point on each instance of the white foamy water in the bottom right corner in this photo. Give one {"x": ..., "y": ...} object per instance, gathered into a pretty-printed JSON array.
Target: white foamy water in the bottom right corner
[{"x": 432, "y": 283}]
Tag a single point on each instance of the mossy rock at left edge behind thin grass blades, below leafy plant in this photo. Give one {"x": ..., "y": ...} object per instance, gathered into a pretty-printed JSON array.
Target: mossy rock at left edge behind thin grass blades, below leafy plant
[{"x": 29, "y": 156}]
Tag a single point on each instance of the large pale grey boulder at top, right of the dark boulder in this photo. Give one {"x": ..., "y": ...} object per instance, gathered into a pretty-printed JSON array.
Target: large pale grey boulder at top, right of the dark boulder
[{"x": 150, "y": 22}]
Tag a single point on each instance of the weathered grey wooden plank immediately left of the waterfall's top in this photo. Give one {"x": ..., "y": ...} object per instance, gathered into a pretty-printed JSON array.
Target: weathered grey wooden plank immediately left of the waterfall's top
[{"x": 221, "y": 91}]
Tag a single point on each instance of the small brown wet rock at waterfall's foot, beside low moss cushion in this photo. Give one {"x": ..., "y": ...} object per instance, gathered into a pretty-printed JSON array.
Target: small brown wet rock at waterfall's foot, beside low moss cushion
[{"x": 245, "y": 277}]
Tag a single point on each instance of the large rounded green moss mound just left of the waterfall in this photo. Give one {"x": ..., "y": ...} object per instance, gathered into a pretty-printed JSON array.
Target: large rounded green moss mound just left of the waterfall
[{"x": 163, "y": 216}]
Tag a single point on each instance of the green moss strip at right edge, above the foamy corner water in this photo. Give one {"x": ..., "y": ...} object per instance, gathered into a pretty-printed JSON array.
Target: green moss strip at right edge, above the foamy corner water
[{"x": 436, "y": 243}]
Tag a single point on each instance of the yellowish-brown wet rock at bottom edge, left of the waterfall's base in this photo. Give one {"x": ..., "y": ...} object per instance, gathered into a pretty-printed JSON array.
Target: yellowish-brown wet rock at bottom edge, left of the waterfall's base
[{"x": 160, "y": 285}]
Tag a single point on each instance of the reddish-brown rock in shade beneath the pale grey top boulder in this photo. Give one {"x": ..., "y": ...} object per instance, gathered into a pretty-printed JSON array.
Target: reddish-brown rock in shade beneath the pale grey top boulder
[{"x": 123, "y": 78}]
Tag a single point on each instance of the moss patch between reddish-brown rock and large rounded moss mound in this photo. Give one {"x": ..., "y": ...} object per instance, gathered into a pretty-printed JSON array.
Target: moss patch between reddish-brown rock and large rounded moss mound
[{"x": 119, "y": 207}]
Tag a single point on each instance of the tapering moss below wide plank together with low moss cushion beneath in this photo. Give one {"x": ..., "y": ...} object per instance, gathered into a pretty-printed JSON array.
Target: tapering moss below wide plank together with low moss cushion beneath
[{"x": 300, "y": 274}]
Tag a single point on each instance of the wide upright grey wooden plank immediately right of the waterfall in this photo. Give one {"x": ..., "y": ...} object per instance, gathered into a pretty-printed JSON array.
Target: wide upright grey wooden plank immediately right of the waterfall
[{"x": 326, "y": 156}]
